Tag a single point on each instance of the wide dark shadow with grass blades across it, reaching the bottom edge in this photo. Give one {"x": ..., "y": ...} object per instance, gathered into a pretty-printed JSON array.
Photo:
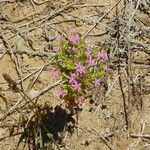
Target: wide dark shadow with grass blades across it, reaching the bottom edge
[{"x": 47, "y": 128}]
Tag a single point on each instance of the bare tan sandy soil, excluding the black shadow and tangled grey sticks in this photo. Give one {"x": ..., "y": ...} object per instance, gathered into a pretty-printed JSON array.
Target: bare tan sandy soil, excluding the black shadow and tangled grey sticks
[{"x": 101, "y": 125}]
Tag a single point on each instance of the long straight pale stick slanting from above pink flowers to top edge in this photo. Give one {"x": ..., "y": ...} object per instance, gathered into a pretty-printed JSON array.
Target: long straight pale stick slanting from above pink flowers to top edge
[{"x": 100, "y": 20}]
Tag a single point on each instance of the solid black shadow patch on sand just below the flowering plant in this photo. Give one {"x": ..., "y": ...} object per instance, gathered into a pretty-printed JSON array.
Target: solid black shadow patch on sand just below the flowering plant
[{"x": 55, "y": 122}]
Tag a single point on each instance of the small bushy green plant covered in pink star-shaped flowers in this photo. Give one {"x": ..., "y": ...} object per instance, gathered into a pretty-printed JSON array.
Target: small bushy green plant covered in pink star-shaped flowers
[{"x": 79, "y": 67}]
